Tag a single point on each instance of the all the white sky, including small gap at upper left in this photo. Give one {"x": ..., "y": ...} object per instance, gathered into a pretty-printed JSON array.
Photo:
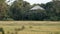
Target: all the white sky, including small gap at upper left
[{"x": 32, "y": 1}]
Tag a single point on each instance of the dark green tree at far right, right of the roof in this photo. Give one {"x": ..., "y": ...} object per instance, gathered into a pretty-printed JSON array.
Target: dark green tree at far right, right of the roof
[{"x": 53, "y": 10}]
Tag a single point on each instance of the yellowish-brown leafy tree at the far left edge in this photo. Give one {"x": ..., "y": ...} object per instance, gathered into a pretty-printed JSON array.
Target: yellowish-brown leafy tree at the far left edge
[{"x": 3, "y": 9}]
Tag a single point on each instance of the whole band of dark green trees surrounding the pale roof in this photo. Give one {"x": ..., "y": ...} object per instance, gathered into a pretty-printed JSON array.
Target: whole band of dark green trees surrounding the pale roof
[{"x": 20, "y": 10}]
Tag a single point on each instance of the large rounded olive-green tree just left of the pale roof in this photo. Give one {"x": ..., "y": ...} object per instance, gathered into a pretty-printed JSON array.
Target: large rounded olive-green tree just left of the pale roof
[{"x": 18, "y": 9}]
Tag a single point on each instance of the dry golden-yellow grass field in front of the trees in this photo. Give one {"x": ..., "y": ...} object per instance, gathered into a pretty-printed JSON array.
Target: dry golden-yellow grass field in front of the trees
[{"x": 30, "y": 27}]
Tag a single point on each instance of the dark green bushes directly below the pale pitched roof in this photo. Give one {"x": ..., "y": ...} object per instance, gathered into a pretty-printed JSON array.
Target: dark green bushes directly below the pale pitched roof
[{"x": 35, "y": 15}]
